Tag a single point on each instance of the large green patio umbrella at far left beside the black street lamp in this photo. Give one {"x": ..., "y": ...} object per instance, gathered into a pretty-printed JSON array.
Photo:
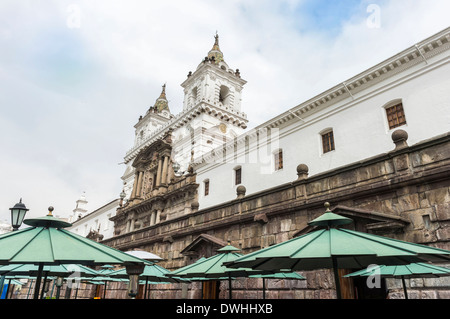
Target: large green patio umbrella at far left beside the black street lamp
[{"x": 48, "y": 243}]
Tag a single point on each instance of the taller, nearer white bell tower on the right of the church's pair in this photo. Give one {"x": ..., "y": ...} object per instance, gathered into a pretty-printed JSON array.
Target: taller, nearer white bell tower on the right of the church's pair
[{"x": 212, "y": 101}]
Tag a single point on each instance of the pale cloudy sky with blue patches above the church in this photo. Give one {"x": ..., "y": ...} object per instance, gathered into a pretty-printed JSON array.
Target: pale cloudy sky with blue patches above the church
[{"x": 76, "y": 75}]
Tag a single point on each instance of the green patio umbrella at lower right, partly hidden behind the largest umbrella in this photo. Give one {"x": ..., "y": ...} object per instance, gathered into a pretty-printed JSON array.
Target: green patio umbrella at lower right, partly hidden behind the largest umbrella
[{"x": 414, "y": 270}]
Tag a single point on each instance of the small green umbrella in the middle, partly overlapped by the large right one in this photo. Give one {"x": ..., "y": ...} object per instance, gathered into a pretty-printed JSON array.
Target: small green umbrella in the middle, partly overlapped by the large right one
[{"x": 213, "y": 268}]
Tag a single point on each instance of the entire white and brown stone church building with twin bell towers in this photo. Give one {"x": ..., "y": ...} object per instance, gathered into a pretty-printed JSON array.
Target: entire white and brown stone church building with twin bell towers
[{"x": 375, "y": 146}]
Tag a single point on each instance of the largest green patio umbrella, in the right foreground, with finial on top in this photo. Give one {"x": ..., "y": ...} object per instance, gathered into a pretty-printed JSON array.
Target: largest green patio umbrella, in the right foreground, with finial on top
[{"x": 333, "y": 248}]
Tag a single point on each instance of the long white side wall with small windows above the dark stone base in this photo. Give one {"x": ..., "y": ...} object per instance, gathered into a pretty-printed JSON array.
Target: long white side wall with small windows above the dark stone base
[{"x": 359, "y": 126}]
